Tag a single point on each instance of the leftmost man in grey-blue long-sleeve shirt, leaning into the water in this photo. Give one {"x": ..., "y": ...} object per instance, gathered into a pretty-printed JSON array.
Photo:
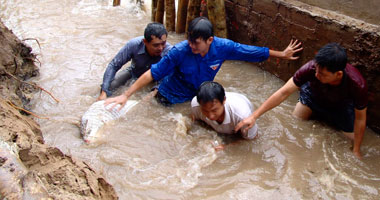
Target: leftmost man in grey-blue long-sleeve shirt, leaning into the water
[{"x": 143, "y": 51}]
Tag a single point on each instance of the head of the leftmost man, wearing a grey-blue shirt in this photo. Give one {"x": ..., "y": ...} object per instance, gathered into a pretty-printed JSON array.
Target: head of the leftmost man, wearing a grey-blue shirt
[{"x": 155, "y": 36}]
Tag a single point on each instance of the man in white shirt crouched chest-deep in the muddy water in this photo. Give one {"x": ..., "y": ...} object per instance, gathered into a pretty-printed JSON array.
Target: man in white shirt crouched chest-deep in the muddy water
[{"x": 222, "y": 111}]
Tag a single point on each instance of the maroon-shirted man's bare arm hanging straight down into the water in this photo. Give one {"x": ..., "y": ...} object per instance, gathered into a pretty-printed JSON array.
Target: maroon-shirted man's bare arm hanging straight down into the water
[{"x": 359, "y": 128}]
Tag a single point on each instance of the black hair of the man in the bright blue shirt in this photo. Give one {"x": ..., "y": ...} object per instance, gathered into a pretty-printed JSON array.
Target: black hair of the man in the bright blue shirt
[{"x": 199, "y": 27}]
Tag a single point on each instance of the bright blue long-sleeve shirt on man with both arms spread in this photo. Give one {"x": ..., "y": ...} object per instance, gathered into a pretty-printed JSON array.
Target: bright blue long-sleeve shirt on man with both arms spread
[{"x": 181, "y": 72}]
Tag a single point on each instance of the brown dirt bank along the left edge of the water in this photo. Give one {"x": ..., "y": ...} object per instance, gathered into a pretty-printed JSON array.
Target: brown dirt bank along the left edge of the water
[{"x": 29, "y": 169}]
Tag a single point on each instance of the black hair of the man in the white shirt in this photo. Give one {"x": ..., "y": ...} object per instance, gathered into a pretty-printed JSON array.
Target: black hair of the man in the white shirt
[{"x": 208, "y": 91}]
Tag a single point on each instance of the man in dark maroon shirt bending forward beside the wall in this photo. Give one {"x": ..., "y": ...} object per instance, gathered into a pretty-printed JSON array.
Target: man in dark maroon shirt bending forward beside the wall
[{"x": 329, "y": 88}]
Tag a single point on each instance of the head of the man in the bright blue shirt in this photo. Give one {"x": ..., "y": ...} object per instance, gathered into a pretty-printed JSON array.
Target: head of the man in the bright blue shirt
[{"x": 200, "y": 35}]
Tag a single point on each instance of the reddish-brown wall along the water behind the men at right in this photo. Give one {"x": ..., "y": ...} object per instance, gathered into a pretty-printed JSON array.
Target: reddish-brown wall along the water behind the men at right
[{"x": 274, "y": 23}]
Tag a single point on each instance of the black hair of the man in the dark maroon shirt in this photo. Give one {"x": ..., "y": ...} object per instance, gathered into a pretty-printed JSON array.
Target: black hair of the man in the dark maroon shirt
[{"x": 332, "y": 56}]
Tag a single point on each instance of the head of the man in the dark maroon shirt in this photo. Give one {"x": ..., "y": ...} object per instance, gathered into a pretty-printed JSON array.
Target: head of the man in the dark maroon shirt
[{"x": 331, "y": 61}]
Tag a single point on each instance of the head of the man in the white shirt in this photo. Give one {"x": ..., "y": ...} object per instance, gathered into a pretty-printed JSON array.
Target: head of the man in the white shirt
[{"x": 211, "y": 98}]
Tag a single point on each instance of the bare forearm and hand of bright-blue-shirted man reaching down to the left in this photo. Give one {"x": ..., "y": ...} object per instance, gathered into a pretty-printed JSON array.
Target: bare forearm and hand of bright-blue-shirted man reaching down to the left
[{"x": 144, "y": 80}]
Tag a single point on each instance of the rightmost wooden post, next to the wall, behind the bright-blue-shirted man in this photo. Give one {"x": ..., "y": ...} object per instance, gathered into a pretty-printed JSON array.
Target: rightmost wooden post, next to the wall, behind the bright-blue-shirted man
[{"x": 217, "y": 16}]
